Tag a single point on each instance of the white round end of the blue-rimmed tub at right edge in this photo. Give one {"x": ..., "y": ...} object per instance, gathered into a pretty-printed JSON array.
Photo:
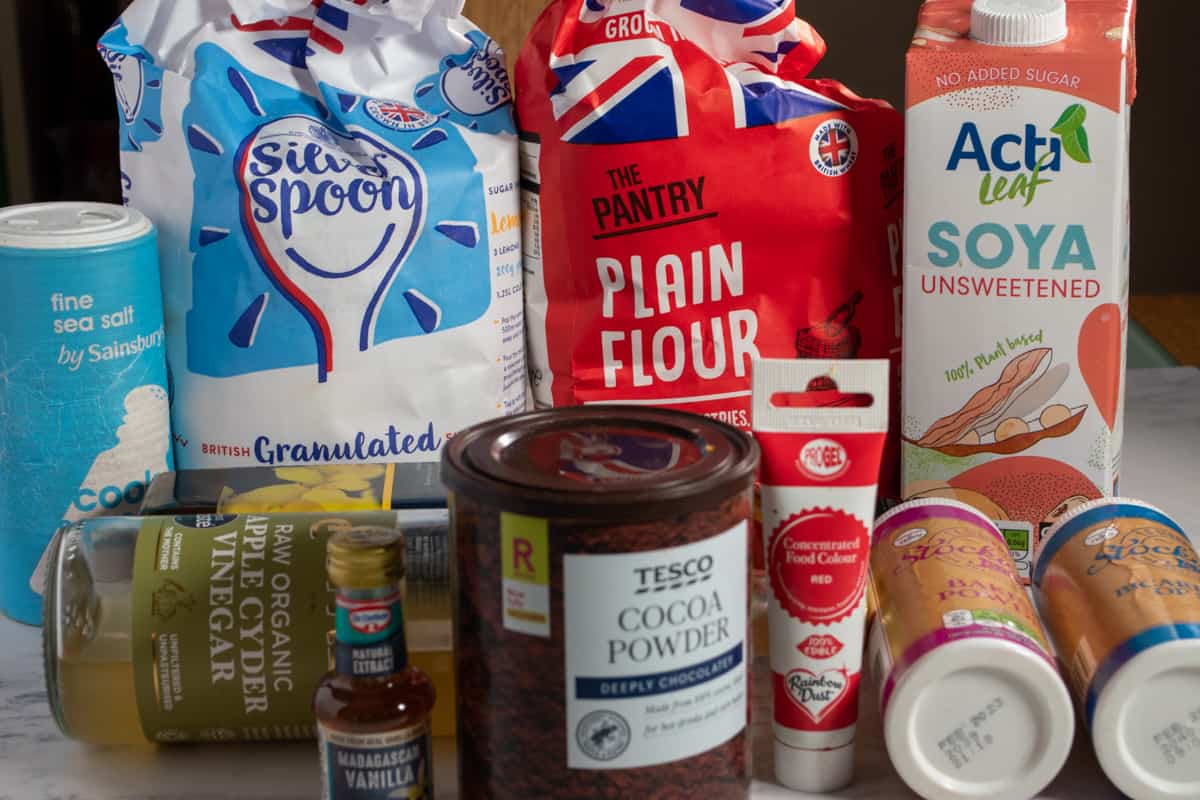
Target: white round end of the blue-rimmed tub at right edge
[{"x": 1145, "y": 720}]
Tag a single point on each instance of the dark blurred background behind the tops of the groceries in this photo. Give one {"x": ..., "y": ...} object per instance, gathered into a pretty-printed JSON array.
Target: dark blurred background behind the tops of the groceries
[{"x": 58, "y": 111}]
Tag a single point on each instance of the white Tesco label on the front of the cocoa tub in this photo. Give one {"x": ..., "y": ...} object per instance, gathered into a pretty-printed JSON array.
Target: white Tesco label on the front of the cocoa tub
[{"x": 656, "y": 653}]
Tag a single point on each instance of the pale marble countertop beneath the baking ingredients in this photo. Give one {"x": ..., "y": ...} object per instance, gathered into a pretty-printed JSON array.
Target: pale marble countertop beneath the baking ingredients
[{"x": 1162, "y": 465}]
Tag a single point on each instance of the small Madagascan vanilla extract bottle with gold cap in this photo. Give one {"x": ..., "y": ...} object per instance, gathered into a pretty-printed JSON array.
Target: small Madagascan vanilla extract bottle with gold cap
[{"x": 374, "y": 711}]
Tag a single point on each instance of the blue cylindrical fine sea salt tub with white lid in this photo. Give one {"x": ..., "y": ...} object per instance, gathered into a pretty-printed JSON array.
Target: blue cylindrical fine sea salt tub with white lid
[{"x": 83, "y": 380}]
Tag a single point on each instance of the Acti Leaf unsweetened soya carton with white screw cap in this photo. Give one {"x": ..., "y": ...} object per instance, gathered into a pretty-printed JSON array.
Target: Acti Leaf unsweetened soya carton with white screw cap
[{"x": 1017, "y": 256}]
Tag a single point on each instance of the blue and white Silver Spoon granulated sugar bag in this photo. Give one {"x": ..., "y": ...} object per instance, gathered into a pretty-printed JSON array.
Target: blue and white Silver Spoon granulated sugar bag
[{"x": 335, "y": 190}]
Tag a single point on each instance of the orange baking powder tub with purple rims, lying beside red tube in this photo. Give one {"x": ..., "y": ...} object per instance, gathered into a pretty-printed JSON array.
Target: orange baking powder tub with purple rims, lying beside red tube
[{"x": 971, "y": 699}]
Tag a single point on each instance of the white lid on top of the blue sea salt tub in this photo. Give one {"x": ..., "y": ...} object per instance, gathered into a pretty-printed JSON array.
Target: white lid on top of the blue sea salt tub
[{"x": 70, "y": 226}]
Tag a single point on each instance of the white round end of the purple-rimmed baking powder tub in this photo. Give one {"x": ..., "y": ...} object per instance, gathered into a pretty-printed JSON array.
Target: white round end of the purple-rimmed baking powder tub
[{"x": 980, "y": 719}]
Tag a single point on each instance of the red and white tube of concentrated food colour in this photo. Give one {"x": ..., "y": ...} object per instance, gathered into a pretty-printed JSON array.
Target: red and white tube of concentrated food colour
[{"x": 821, "y": 426}]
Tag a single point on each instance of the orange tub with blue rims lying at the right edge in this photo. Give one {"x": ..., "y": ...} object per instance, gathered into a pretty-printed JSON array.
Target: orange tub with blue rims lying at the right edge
[{"x": 1119, "y": 586}]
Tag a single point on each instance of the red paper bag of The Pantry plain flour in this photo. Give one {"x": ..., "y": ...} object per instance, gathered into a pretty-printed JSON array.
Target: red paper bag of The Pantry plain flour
[{"x": 695, "y": 202}]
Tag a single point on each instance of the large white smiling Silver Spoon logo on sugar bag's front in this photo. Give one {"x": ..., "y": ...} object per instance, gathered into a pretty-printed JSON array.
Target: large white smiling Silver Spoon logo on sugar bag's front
[{"x": 332, "y": 219}]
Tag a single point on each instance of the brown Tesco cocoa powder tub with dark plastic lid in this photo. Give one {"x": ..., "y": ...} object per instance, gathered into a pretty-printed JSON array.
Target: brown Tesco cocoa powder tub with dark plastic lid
[{"x": 602, "y": 605}]
